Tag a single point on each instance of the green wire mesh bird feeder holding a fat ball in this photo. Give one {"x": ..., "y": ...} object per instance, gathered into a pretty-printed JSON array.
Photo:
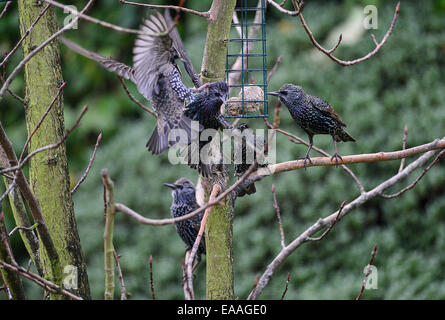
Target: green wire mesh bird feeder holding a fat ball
[{"x": 246, "y": 62}]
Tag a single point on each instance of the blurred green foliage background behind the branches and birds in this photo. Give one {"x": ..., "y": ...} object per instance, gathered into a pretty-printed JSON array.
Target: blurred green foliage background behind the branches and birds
[{"x": 402, "y": 85}]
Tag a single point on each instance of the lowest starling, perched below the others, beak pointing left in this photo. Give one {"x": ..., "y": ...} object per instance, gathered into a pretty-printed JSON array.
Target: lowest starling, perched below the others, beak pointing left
[{"x": 184, "y": 202}]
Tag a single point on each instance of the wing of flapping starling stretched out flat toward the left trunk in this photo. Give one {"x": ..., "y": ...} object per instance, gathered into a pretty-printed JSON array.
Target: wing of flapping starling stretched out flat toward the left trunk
[{"x": 111, "y": 65}]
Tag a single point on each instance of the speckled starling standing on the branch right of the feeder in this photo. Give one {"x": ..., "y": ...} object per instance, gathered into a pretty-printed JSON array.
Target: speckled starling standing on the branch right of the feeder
[{"x": 314, "y": 115}]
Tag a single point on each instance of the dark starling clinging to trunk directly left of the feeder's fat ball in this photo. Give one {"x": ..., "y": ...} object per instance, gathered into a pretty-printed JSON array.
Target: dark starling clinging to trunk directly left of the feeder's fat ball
[{"x": 205, "y": 107}]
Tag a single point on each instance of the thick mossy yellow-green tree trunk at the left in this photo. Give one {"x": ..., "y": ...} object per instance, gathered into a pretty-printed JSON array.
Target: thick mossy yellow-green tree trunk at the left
[{"x": 48, "y": 171}]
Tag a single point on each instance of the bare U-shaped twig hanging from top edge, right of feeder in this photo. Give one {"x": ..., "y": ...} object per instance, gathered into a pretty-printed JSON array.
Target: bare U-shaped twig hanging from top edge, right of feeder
[{"x": 329, "y": 52}]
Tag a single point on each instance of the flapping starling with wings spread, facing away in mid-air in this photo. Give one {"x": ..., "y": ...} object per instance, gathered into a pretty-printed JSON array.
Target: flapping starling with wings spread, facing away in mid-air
[{"x": 157, "y": 77}]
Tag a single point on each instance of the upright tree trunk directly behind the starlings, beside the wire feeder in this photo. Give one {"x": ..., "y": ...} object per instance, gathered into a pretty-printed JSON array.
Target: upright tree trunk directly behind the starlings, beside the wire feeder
[{"x": 219, "y": 228}]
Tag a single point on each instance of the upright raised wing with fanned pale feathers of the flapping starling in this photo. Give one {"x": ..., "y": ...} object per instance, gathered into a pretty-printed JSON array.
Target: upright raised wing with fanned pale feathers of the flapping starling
[{"x": 153, "y": 54}]
